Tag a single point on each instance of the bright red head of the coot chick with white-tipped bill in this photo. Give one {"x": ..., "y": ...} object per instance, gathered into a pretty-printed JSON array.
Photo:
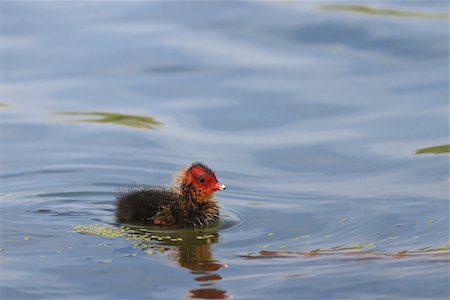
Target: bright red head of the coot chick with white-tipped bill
[{"x": 202, "y": 180}]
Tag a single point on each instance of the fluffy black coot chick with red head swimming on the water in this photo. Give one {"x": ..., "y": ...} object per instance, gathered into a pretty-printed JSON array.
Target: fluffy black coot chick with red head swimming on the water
[{"x": 188, "y": 203}]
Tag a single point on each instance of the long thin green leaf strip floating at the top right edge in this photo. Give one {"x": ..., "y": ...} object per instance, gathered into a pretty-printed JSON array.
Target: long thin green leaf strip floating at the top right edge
[{"x": 387, "y": 12}]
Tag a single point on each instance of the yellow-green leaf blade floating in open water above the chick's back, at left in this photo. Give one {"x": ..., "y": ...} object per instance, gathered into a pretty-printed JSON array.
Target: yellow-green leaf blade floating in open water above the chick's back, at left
[{"x": 136, "y": 121}]
